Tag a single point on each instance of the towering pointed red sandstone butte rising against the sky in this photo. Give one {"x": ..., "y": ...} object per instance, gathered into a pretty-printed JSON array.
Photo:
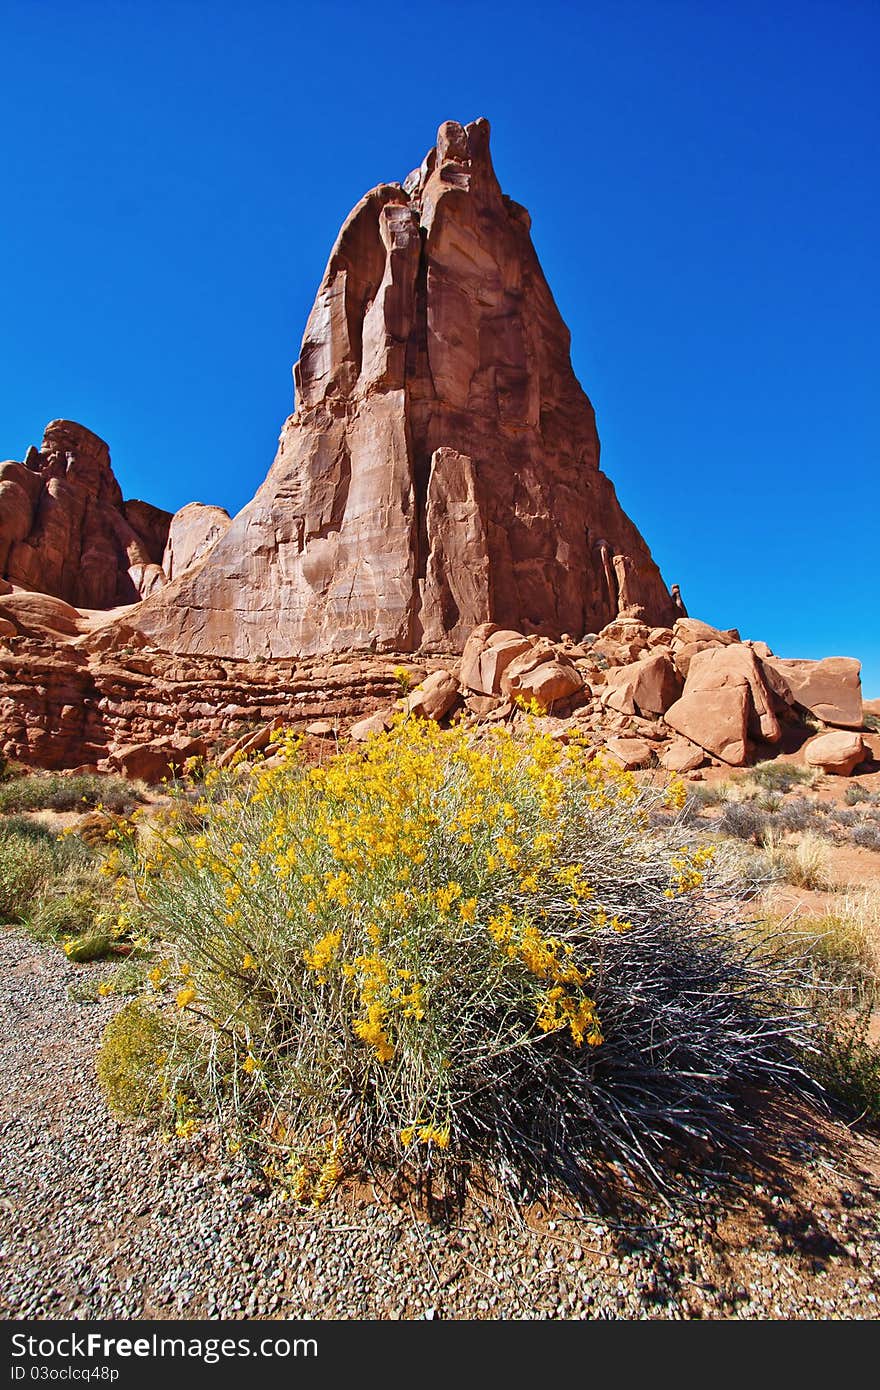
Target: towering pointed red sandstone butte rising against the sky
[{"x": 443, "y": 465}]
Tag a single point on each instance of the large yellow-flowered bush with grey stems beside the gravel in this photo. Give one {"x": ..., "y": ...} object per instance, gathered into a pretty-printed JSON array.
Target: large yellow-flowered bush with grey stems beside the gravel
[{"x": 450, "y": 949}]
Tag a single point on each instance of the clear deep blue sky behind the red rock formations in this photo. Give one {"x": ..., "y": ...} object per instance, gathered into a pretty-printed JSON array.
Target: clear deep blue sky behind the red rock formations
[{"x": 706, "y": 202}]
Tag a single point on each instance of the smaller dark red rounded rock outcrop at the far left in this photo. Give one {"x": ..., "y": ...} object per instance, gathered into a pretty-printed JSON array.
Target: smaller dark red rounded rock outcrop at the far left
[{"x": 66, "y": 532}]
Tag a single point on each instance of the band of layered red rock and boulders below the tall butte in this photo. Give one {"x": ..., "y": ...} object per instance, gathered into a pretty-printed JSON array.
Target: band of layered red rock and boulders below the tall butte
[{"x": 70, "y": 696}]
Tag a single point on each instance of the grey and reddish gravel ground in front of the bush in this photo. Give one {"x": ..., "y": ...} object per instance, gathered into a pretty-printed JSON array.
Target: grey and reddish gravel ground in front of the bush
[{"x": 102, "y": 1221}]
